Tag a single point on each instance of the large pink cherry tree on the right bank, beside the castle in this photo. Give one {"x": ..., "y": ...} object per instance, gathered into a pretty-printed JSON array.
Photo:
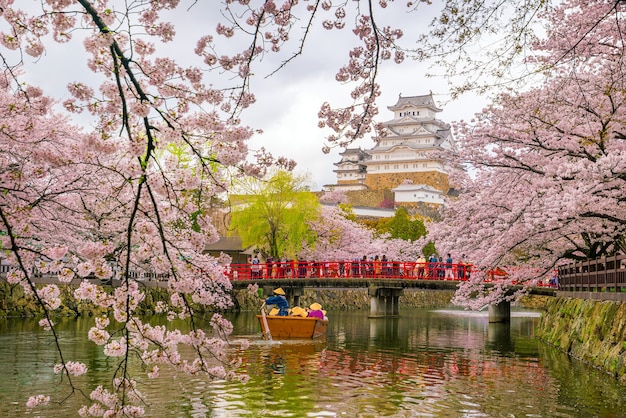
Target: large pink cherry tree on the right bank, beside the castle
[{"x": 542, "y": 171}]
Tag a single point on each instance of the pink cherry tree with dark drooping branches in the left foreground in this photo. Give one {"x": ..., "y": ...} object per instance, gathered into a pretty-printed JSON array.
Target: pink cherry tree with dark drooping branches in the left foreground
[{"x": 131, "y": 195}]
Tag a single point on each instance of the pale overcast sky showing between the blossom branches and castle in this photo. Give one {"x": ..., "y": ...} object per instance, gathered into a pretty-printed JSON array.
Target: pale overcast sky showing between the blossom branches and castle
[{"x": 287, "y": 102}]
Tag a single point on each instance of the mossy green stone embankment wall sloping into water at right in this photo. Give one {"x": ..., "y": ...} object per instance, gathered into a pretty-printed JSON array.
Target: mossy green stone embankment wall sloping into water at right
[{"x": 592, "y": 331}]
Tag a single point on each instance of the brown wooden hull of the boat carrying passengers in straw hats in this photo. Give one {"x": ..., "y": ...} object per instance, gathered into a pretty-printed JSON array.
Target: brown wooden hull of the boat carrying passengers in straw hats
[{"x": 292, "y": 326}]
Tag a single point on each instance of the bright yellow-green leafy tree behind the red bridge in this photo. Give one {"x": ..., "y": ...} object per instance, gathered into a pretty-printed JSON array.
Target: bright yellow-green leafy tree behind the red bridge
[{"x": 274, "y": 214}]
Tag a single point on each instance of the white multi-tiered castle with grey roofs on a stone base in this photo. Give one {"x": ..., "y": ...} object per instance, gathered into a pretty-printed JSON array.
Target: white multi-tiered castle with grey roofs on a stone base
[{"x": 406, "y": 160}]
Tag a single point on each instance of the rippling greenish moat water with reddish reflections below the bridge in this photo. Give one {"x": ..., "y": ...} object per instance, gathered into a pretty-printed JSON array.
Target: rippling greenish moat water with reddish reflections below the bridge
[{"x": 442, "y": 363}]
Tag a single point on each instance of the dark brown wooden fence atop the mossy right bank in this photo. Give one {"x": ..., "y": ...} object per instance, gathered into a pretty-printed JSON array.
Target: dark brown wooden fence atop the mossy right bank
[{"x": 606, "y": 274}]
